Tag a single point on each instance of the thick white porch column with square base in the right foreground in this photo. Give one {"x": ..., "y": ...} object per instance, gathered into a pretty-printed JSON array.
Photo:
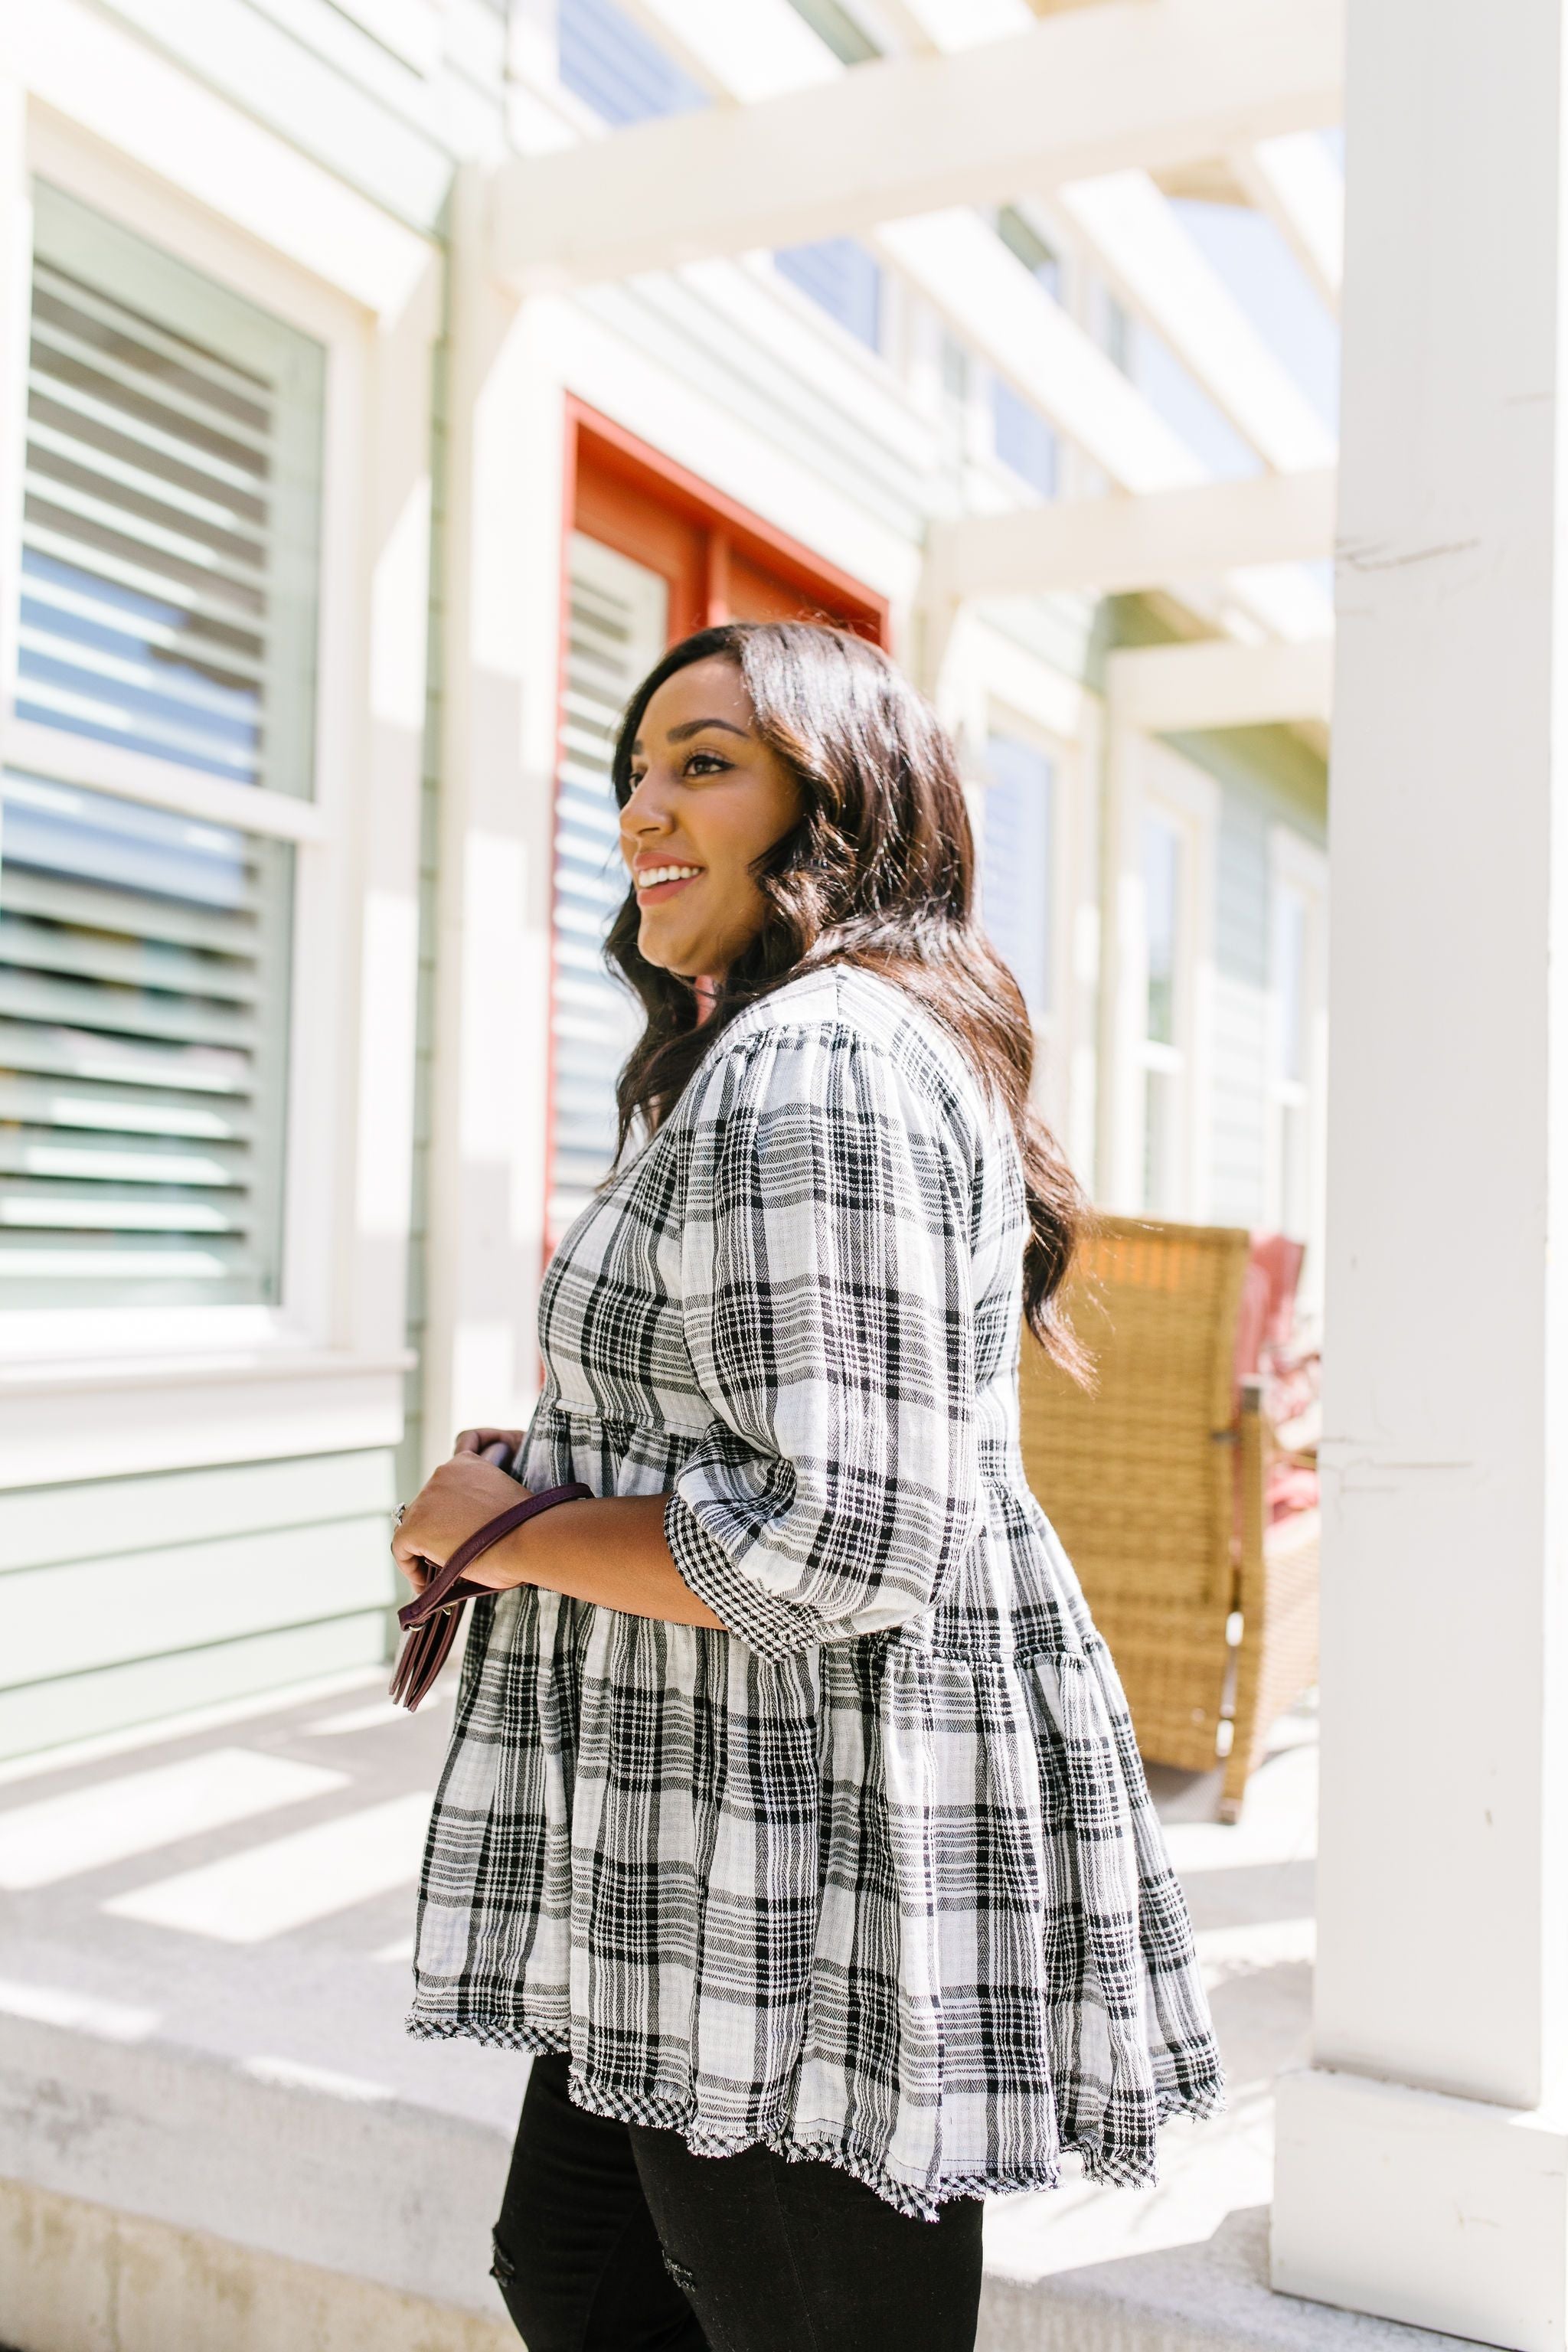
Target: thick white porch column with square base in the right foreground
[{"x": 1423, "y": 2160}]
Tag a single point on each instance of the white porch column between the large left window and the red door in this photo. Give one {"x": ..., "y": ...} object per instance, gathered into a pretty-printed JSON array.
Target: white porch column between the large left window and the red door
[{"x": 492, "y": 998}]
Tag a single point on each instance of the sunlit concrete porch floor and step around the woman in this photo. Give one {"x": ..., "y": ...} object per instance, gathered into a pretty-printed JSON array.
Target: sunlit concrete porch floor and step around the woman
[{"x": 215, "y": 2134}]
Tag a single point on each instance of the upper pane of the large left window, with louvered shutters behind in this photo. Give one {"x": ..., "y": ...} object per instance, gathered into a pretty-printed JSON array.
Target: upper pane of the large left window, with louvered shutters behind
[{"x": 170, "y": 523}]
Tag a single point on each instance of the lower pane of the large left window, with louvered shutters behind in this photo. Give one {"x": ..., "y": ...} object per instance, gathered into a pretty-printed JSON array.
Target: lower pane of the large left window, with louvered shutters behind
[{"x": 142, "y": 1053}]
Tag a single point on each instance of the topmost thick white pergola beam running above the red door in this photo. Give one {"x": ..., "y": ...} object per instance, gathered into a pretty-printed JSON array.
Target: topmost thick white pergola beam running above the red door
[{"x": 1134, "y": 83}]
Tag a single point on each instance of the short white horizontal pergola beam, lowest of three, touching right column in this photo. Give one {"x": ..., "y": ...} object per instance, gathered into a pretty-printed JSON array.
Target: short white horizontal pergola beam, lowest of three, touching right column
[{"x": 1191, "y": 688}]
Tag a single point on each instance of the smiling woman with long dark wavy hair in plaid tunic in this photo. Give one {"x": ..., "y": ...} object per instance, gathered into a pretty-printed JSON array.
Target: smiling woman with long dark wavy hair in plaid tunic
[{"x": 791, "y": 1808}]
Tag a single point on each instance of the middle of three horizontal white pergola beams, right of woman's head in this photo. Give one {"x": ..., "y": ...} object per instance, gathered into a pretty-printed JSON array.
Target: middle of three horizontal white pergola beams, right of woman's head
[{"x": 1118, "y": 544}]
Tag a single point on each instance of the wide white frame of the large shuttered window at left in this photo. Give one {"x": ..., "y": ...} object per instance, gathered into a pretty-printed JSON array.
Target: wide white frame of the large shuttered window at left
[{"x": 356, "y": 888}]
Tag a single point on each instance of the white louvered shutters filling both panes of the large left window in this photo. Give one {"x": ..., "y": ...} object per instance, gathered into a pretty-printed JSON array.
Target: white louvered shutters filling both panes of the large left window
[{"x": 168, "y": 608}]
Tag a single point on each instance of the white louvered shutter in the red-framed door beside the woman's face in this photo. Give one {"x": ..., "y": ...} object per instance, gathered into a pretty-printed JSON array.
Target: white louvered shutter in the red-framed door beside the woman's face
[{"x": 617, "y": 634}]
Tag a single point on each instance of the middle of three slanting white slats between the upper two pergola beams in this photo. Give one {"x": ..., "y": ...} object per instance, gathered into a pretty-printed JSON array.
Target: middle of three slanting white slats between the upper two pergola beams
[{"x": 1144, "y": 248}]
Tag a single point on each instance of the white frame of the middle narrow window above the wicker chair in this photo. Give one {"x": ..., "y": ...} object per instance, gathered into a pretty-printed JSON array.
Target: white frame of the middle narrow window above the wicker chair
[{"x": 1158, "y": 782}]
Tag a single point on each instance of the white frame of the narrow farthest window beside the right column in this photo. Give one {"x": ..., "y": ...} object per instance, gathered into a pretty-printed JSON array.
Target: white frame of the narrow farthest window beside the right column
[{"x": 1299, "y": 869}]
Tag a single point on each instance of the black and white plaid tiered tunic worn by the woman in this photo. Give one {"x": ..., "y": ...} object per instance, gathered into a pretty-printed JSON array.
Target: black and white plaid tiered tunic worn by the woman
[{"x": 873, "y": 1876}]
